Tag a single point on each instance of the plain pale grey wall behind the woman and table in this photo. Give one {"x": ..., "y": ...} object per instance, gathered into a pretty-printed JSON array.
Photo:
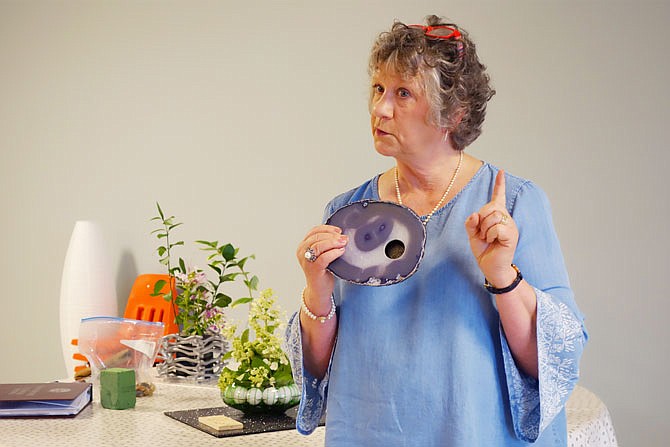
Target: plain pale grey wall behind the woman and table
[{"x": 244, "y": 119}]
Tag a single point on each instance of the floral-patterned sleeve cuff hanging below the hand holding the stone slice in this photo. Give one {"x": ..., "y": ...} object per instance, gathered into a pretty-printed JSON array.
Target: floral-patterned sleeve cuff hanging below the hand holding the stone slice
[{"x": 313, "y": 399}]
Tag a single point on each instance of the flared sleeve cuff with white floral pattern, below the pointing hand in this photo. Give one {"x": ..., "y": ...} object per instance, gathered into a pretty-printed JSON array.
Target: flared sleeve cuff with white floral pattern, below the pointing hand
[{"x": 560, "y": 341}]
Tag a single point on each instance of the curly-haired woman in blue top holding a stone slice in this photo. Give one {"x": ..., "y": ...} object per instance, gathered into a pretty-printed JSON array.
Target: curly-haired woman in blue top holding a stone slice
[{"x": 479, "y": 347}]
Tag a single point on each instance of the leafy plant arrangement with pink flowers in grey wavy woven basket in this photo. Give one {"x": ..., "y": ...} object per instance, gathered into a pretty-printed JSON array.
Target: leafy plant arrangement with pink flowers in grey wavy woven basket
[{"x": 198, "y": 302}]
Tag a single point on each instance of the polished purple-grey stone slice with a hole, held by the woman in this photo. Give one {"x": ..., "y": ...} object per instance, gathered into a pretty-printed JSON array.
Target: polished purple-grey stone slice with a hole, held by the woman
[{"x": 386, "y": 242}]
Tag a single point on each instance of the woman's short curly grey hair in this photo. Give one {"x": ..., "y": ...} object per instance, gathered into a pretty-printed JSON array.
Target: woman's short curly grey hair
[{"x": 455, "y": 81}]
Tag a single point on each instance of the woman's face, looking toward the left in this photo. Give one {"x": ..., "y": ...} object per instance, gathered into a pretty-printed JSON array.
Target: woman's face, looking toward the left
[{"x": 399, "y": 115}]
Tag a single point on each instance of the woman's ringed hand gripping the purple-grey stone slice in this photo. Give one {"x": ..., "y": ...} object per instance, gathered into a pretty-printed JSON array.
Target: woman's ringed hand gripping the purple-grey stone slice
[{"x": 327, "y": 244}]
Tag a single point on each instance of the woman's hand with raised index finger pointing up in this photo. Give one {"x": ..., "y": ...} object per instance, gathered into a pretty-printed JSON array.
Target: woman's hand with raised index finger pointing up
[{"x": 493, "y": 237}]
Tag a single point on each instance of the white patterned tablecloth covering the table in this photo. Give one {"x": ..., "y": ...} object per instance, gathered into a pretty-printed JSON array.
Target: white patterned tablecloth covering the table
[{"x": 589, "y": 424}]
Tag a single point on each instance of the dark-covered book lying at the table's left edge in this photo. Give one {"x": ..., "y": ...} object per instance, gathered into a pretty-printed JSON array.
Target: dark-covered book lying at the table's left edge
[{"x": 44, "y": 399}]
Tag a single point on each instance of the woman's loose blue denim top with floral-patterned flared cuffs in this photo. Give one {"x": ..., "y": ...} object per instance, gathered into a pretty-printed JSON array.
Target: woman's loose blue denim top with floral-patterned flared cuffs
[{"x": 425, "y": 362}]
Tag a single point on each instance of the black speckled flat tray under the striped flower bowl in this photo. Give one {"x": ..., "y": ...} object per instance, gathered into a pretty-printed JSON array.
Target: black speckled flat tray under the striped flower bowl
[{"x": 256, "y": 423}]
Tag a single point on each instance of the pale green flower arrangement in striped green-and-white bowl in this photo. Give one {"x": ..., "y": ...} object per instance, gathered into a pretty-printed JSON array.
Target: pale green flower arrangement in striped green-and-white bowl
[{"x": 262, "y": 380}]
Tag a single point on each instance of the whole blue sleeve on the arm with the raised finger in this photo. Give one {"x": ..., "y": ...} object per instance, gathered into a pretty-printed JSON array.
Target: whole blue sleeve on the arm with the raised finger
[{"x": 561, "y": 334}]
